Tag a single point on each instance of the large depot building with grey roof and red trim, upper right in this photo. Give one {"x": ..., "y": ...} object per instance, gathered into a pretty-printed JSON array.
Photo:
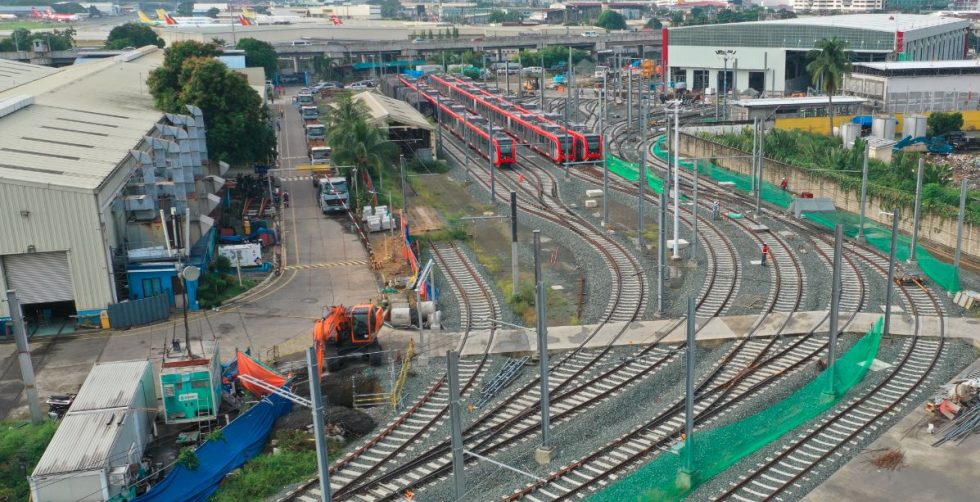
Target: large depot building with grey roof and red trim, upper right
[{"x": 770, "y": 57}]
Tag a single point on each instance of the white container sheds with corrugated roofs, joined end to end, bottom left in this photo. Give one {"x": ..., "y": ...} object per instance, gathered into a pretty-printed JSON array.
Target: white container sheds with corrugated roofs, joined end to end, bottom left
[{"x": 96, "y": 453}]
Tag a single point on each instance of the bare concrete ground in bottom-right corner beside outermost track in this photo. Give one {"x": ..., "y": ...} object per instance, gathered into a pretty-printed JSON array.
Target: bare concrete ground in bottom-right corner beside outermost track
[{"x": 948, "y": 472}]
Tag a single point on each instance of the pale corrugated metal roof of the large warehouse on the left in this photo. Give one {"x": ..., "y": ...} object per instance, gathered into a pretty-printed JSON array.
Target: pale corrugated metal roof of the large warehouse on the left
[{"x": 82, "y": 125}]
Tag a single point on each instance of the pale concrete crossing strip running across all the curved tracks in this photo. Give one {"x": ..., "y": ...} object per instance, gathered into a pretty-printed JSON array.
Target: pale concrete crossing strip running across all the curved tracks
[{"x": 720, "y": 328}]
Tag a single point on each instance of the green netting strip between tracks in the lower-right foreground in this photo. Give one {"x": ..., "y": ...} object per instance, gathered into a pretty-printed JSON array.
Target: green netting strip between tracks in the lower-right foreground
[{"x": 713, "y": 451}]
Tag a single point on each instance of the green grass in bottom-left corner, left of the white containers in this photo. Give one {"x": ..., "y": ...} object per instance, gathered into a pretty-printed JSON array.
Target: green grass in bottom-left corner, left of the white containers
[{"x": 21, "y": 446}]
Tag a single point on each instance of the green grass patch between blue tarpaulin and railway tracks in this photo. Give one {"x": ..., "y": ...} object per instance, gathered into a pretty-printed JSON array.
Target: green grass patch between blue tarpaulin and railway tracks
[{"x": 268, "y": 473}]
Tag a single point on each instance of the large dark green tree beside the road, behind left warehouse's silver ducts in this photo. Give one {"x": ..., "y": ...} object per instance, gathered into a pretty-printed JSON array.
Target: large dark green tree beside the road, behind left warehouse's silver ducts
[{"x": 238, "y": 125}]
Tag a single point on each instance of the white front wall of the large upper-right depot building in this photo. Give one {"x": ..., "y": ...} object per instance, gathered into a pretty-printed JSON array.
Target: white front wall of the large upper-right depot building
[{"x": 749, "y": 59}]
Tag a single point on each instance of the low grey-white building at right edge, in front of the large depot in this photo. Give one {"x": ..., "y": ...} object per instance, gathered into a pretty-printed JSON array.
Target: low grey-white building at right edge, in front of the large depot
[{"x": 917, "y": 86}]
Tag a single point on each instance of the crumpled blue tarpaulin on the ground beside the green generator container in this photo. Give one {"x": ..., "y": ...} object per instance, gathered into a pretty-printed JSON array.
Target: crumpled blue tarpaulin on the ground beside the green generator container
[{"x": 243, "y": 439}]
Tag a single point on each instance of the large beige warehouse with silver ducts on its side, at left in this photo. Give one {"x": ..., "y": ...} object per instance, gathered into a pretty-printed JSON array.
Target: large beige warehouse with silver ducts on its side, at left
[{"x": 91, "y": 177}]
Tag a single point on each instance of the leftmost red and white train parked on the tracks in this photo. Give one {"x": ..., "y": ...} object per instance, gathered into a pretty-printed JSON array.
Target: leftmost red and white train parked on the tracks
[{"x": 472, "y": 129}]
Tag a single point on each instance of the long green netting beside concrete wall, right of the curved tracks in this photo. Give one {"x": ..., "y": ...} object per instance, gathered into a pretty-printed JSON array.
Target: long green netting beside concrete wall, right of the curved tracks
[{"x": 943, "y": 274}]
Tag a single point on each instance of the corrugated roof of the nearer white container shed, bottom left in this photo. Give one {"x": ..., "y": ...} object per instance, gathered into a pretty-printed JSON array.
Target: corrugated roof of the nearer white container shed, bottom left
[{"x": 82, "y": 443}]
